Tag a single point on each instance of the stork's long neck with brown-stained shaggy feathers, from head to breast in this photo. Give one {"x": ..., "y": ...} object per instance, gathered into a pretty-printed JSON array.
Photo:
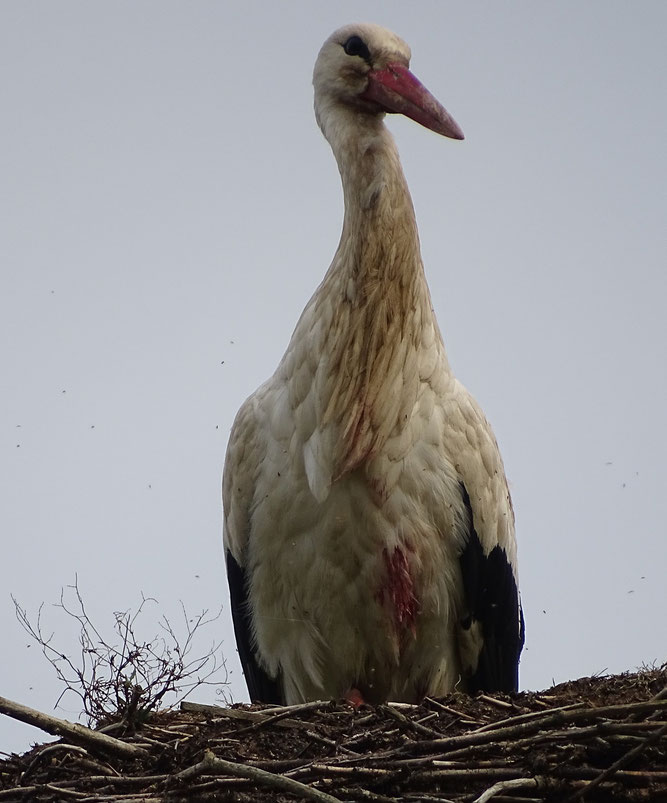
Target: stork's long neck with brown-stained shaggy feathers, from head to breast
[{"x": 377, "y": 287}]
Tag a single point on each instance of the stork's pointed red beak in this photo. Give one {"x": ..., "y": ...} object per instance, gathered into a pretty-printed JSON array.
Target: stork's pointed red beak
[{"x": 396, "y": 90}]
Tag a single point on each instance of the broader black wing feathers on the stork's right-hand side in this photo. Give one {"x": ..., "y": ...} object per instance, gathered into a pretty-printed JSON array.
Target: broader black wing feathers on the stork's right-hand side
[{"x": 492, "y": 598}]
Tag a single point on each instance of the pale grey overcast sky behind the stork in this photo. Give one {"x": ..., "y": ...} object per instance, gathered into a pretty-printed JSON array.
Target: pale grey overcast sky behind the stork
[{"x": 168, "y": 206}]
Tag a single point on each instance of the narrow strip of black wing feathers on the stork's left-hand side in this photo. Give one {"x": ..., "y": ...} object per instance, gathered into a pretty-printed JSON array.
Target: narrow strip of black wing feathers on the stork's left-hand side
[{"x": 262, "y": 687}]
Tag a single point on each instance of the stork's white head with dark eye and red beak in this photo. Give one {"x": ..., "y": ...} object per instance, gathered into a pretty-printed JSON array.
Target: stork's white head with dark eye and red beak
[{"x": 364, "y": 67}]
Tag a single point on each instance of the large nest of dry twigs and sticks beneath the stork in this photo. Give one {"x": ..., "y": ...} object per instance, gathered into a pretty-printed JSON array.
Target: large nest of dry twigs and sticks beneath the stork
[{"x": 598, "y": 739}]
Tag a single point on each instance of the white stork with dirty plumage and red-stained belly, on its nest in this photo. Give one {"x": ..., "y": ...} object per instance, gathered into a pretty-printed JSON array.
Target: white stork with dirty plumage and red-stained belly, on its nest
[{"x": 368, "y": 526}]
